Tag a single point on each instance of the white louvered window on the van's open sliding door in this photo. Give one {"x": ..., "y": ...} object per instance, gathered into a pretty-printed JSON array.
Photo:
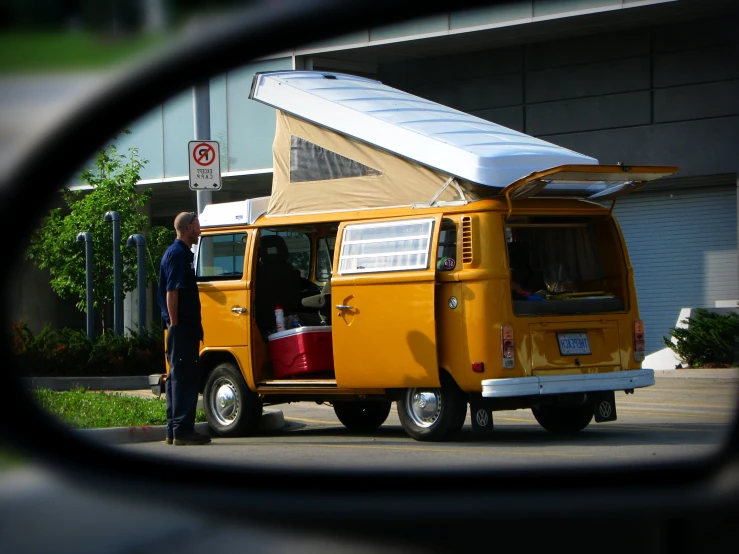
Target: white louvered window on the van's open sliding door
[{"x": 389, "y": 246}]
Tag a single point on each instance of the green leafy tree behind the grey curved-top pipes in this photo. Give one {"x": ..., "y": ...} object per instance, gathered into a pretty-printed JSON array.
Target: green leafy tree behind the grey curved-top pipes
[{"x": 54, "y": 244}]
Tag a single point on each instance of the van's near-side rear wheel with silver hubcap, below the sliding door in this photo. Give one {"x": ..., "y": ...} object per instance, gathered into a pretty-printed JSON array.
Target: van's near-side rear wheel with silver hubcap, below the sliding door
[{"x": 429, "y": 414}]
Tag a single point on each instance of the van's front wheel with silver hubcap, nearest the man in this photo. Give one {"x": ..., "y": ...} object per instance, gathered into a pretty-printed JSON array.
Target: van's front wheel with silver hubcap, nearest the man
[{"x": 231, "y": 407}]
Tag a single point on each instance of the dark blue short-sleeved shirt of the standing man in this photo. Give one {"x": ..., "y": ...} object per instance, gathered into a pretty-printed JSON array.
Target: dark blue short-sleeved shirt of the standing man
[{"x": 177, "y": 272}]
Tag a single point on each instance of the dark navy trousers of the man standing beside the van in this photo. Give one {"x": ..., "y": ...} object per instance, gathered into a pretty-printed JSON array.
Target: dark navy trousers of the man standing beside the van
[{"x": 183, "y": 382}]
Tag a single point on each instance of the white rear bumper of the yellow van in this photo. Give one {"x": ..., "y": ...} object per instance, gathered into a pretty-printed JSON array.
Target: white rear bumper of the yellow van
[{"x": 563, "y": 384}]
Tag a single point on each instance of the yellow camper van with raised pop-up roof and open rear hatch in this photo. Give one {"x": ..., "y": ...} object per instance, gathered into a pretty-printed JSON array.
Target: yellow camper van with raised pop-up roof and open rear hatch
[{"x": 412, "y": 253}]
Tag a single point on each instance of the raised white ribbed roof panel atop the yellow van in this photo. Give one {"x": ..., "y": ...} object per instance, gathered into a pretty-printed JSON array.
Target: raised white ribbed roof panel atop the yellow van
[{"x": 434, "y": 135}]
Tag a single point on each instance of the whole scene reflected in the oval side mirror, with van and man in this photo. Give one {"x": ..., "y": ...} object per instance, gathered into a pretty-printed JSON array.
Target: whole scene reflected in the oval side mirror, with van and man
[{"x": 492, "y": 250}]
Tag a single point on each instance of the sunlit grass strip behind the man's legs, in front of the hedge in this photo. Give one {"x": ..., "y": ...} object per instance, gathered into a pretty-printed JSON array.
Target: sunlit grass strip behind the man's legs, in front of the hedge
[{"x": 93, "y": 409}]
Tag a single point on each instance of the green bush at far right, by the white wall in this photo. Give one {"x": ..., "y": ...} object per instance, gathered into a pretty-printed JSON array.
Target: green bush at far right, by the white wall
[{"x": 709, "y": 339}]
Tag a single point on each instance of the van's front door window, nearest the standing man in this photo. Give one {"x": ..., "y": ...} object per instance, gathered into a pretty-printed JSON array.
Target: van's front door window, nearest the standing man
[{"x": 221, "y": 257}]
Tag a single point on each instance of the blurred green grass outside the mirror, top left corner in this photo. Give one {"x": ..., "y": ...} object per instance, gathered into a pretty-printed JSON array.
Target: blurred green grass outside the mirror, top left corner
[{"x": 65, "y": 51}]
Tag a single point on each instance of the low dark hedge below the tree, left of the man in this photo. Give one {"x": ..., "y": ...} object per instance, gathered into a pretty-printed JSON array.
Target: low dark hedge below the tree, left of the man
[{"x": 69, "y": 353}]
